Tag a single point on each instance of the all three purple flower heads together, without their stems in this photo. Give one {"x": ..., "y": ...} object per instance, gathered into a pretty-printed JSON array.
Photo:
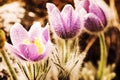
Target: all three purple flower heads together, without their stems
[{"x": 34, "y": 44}]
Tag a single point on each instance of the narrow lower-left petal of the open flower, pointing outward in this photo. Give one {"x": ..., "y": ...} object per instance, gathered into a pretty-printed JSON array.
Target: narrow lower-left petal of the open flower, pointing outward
[{"x": 14, "y": 51}]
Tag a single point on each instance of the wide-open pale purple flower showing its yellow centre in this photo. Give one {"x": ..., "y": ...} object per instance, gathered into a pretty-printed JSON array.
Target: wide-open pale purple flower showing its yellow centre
[{"x": 33, "y": 45}]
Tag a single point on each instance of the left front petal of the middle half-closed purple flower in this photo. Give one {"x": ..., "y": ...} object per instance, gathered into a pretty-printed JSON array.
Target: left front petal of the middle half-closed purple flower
[{"x": 57, "y": 23}]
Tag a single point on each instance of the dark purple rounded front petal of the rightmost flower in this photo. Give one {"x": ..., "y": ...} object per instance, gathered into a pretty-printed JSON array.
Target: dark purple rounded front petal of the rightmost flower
[{"x": 93, "y": 23}]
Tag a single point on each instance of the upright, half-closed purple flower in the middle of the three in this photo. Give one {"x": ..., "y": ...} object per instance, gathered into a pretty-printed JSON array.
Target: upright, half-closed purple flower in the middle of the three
[{"x": 66, "y": 24}]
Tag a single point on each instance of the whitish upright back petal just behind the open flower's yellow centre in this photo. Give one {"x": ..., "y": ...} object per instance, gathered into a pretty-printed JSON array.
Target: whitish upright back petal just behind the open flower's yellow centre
[{"x": 35, "y": 31}]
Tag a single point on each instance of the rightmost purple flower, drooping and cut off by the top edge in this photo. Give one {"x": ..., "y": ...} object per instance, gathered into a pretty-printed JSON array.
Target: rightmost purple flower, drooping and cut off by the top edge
[{"x": 95, "y": 18}]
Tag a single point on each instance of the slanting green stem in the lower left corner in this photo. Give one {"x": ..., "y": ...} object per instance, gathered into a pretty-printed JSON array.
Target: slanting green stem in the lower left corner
[{"x": 4, "y": 55}]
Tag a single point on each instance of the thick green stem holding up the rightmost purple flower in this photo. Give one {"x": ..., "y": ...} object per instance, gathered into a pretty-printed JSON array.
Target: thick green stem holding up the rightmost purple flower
[{"x": 103, "y": 56}]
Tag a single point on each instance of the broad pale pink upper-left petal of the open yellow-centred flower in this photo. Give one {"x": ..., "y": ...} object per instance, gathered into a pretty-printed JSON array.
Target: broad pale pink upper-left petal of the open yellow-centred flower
[{"x": 18, "y": 34}]
